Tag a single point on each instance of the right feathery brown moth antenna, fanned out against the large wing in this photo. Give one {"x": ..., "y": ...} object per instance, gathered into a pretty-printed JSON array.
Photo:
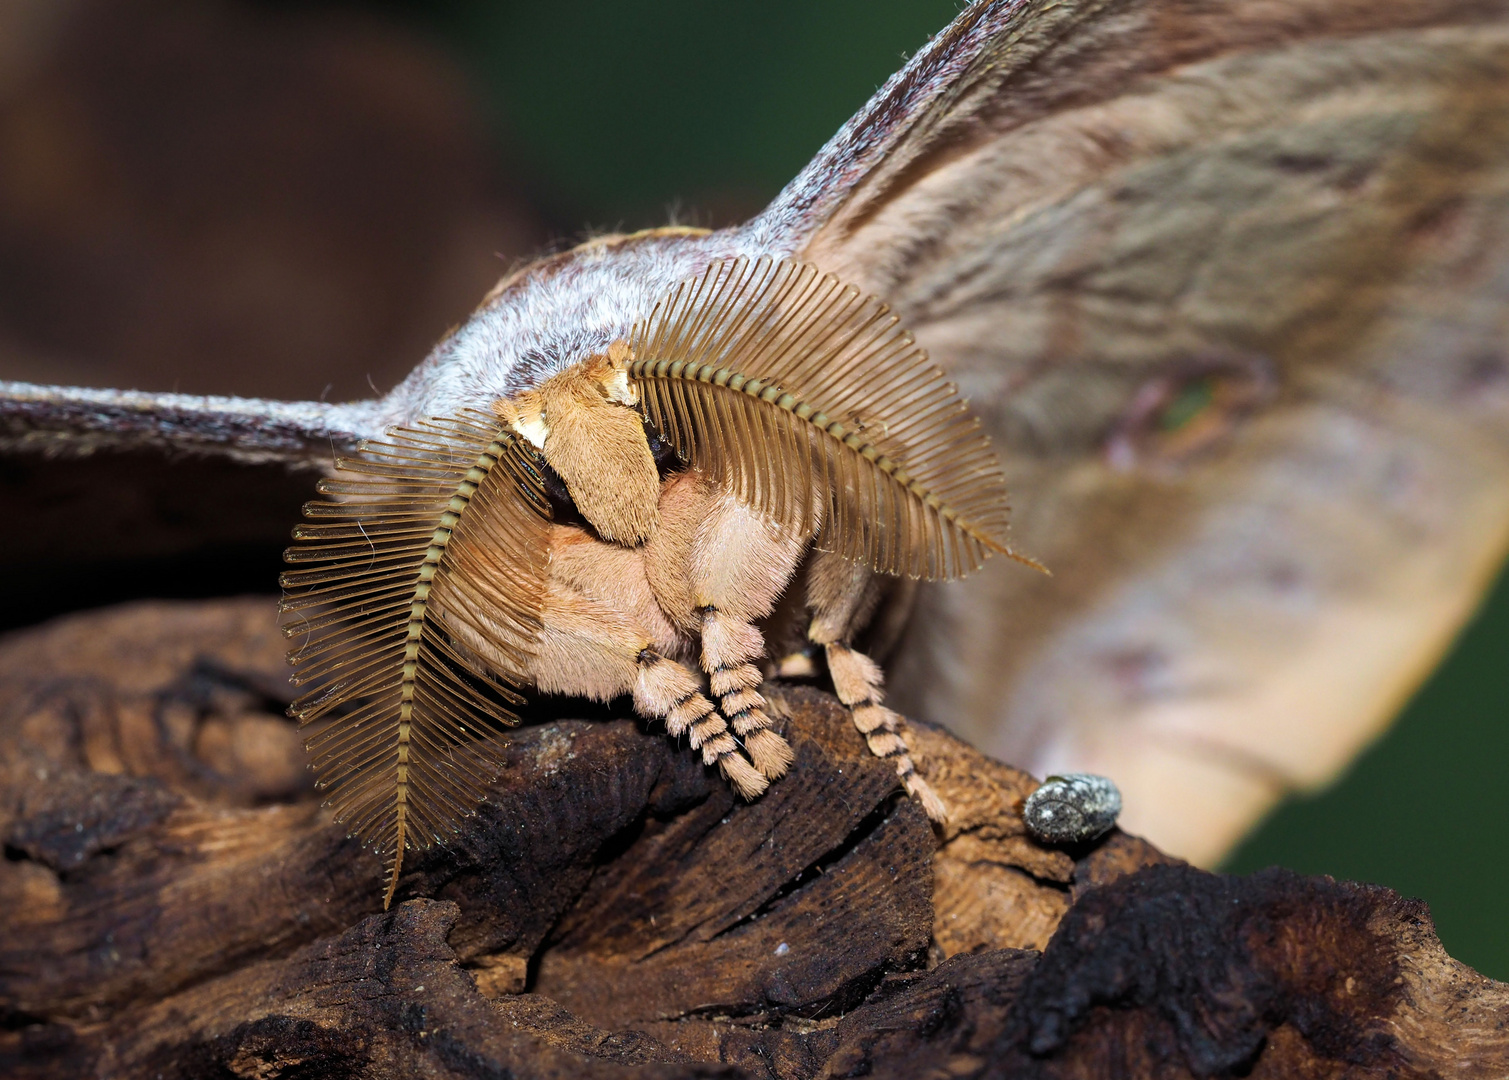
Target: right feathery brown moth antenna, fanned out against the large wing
[{"x": 816, "y": 407}]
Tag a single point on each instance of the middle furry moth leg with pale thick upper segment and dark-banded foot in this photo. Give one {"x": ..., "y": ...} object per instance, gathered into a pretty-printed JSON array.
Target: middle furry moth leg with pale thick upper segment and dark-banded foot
[{"x": 740, "y": 565}]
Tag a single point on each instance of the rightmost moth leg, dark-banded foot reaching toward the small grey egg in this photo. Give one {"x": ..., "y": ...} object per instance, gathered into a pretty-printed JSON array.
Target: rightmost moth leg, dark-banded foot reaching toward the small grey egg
[{"x": 843, "y": 597}]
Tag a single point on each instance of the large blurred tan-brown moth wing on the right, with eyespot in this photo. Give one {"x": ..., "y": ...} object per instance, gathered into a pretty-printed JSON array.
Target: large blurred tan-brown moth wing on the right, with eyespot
[{"x": 1228, "y": 286}]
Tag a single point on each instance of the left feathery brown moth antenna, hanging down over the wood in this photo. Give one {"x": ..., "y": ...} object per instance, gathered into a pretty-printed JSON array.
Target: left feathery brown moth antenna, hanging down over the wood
[{"x": 438, "y": 529}]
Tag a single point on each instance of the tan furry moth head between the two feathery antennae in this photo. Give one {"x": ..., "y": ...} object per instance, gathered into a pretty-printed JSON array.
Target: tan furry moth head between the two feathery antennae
[{"x": 585, "y": 423}]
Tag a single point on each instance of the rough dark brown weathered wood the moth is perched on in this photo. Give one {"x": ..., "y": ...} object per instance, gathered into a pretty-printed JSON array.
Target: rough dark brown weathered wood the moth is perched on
[{"x": 179, "y": 906}]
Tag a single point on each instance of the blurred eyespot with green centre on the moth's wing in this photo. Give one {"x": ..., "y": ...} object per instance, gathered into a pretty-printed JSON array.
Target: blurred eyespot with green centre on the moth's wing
[{"x": 1181, "y": 416}]
